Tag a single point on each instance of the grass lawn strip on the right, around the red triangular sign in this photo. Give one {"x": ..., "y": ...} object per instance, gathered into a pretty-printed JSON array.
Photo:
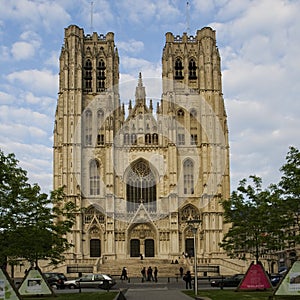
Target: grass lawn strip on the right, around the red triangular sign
[{"x": 232, "y": 295}]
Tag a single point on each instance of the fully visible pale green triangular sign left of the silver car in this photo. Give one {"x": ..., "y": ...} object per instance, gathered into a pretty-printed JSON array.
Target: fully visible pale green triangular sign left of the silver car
[{"x": 35, "y": 284}]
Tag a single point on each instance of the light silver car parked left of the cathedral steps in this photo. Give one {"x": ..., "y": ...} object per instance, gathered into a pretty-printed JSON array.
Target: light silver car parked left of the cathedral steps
[{"x": 101, "y": 281}]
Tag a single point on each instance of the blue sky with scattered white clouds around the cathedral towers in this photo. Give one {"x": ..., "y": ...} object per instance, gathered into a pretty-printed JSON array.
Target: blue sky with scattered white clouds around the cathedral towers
[{"x": 259, "y": 44}]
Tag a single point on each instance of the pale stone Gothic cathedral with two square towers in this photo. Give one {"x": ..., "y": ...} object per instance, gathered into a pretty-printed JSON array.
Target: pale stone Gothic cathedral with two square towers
[{"x": 141, "y": 171}]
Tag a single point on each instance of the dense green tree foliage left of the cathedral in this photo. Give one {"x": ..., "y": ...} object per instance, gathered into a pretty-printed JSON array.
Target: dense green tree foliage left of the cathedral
[{"x": 33, "y": 226}]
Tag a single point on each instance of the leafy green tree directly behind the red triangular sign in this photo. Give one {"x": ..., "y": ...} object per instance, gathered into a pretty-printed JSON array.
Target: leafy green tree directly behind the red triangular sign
[{"x": 256, "y": 220}]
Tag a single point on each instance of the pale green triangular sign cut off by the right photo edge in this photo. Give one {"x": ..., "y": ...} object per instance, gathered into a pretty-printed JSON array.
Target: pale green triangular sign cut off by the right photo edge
[{"x": 290, "y": 284}]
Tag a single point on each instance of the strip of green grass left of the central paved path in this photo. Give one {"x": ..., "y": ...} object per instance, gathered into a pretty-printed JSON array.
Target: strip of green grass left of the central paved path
[{"x": 80, "y": 296}]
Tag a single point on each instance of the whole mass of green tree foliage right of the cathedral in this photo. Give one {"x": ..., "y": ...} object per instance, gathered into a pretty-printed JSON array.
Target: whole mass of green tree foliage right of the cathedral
[{"x": 264, "y": 220}]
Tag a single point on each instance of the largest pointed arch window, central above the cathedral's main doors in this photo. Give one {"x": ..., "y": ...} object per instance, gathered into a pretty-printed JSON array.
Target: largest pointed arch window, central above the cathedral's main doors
[{"x": 141, "y": 187}]
